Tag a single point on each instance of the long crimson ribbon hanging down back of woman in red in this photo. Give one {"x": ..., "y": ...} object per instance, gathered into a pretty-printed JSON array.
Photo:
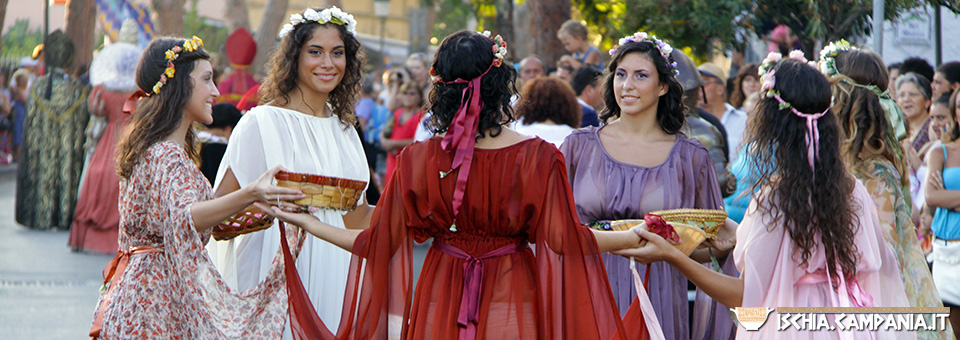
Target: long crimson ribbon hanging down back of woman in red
[{"x": 462, "y": 137}]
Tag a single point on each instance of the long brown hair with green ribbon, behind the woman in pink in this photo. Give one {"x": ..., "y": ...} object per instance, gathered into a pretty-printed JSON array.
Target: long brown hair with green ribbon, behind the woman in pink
[{"x": 862, "y": 118}]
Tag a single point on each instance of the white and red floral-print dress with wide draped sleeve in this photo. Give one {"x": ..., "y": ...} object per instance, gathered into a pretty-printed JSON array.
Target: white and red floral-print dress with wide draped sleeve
[{"x": 176, "y": 292}]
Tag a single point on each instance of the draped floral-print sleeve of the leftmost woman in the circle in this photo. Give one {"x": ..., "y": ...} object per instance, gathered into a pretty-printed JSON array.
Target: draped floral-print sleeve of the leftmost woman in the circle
[{"x": 260, "y": 312}]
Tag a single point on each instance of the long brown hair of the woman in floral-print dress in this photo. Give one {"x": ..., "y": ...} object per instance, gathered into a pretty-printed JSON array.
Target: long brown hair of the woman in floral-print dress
[{"x": 160, "y": 114}]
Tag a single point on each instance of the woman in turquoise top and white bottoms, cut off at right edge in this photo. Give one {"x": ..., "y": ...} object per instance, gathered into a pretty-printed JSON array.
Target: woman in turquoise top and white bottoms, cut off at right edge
[{"x": 943, "y": 193}]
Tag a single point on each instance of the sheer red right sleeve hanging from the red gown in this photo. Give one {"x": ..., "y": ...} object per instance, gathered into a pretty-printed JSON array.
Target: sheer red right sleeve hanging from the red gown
[{"x": 575, "y": 297}]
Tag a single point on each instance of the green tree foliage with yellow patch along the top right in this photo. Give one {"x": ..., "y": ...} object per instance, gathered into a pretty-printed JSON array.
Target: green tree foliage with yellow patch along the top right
[{"x": 707, "y": 25}]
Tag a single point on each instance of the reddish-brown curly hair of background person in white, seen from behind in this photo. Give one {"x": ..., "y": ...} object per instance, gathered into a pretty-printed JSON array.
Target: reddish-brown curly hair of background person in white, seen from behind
[{"x": 549, "y": 98}]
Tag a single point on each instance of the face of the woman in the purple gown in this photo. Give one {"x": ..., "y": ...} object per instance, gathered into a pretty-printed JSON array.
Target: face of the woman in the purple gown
[{"x": 636, "y": 85}]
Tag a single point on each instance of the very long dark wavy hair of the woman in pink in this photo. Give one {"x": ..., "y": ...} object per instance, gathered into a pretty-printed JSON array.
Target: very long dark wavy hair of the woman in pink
[{"x": 814, "y": 208}]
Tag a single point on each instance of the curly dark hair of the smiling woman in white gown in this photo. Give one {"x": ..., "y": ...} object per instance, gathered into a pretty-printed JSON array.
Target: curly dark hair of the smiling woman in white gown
[{"x": 284, "y": 65}]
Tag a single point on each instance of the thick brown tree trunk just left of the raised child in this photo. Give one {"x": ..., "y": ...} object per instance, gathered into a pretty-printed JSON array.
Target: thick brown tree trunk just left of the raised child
[{"x": 546, "y": 16}]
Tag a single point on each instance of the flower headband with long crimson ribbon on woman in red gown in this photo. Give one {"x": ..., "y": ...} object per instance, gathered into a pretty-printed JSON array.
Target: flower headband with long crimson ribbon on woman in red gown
[{"x": 461, "y": 138}]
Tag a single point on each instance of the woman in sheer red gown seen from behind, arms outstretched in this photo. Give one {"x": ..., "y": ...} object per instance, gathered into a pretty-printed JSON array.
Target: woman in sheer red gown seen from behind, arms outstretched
[{"x": 480, "y": 279}]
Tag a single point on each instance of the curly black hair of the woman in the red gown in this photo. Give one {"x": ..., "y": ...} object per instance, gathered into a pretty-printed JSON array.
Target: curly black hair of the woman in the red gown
[{"x": 465, "y": 55}]
